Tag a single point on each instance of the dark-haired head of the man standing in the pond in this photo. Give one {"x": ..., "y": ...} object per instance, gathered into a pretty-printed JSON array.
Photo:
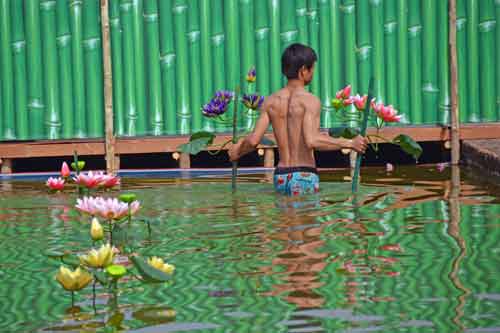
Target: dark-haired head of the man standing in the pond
[{"x": 297, "y": 62}]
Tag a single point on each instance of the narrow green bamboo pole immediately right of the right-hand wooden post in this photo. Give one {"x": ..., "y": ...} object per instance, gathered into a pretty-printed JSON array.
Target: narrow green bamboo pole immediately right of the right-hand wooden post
[{"x": 462, "y": 61}]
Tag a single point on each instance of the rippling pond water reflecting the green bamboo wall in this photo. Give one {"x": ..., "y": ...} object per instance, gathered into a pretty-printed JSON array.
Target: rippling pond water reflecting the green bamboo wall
[{"x": 411, "y": 254}]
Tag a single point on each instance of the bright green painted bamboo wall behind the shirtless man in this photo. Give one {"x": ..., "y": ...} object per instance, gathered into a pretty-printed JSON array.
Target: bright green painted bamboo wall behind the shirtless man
[{"x": 169, "y": 56}]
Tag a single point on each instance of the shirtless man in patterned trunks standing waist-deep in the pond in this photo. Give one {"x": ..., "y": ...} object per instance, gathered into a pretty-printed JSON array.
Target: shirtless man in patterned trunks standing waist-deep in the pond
[{"x": 294, "y": 115}]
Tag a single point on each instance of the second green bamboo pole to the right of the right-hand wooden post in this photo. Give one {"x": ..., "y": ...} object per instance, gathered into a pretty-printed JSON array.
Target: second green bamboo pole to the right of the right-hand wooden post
[{"x": 473, "y": 60}]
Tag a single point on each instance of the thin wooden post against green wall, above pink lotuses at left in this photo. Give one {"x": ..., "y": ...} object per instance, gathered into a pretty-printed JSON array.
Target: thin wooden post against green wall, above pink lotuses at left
[{"x": 108, "y": 90}]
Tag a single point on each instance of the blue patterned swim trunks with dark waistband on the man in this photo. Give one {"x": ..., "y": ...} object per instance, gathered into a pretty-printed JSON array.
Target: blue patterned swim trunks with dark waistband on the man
[{"x": 296, "y": 180}]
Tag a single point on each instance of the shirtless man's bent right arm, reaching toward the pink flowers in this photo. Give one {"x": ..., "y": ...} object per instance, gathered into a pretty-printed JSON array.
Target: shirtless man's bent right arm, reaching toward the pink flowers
[{"x": 314, "y": 139}]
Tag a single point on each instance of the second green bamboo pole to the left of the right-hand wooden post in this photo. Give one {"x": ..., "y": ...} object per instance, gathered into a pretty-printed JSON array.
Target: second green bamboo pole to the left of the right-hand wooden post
[{"x": 429, "y": 61}]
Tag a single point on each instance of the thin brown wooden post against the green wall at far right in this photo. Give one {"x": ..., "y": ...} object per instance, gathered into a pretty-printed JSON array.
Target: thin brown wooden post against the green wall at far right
[{"x": 455, "y": 126}]
